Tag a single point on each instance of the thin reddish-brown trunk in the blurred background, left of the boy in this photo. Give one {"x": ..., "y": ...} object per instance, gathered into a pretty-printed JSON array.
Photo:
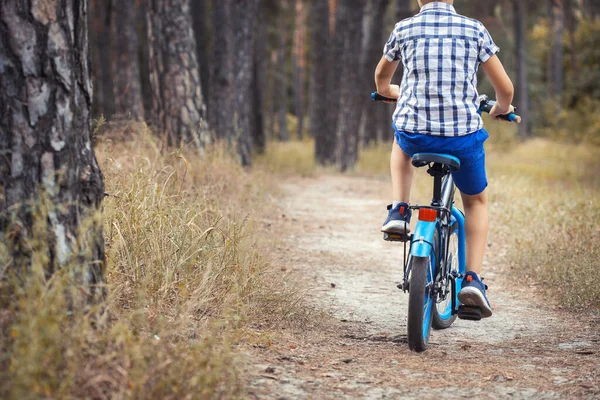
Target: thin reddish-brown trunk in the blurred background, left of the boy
[{"x": 299, "y": 66}]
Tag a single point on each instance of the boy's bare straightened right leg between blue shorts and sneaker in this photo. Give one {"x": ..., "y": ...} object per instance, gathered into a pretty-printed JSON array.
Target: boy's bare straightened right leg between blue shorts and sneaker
[{"x": 476, "y": 229}]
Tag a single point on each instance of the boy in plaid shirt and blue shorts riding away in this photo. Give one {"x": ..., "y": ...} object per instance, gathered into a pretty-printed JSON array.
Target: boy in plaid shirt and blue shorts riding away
[{"x": 436, "y": 112}]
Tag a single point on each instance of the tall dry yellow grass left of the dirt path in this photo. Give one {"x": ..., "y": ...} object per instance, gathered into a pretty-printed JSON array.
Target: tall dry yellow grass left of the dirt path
[{"x": 186, "y": 269}]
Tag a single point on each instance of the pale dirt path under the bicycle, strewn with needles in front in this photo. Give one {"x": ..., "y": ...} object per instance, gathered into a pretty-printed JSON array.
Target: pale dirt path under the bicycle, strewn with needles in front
[{"x": 331, "y": 239}]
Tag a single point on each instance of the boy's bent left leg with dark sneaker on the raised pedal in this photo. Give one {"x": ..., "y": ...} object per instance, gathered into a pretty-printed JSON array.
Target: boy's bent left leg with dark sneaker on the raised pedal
[{"x": 398, "y": 218}]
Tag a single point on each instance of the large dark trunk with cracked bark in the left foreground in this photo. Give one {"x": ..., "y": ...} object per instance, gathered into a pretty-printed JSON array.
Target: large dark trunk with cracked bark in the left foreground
[{"x": 48, "y": 172}]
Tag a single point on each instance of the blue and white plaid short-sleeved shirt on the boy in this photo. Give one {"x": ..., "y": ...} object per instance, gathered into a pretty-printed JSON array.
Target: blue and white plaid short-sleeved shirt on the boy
[{"x": 441, "y": 52}]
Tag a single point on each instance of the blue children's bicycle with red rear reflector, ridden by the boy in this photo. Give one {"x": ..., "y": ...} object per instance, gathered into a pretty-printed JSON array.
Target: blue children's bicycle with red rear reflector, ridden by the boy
[{"x": 435, "y": 266}]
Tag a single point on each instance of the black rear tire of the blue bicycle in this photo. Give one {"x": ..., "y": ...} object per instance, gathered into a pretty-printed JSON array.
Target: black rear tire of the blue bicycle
[{"x": 417, "y": 338}]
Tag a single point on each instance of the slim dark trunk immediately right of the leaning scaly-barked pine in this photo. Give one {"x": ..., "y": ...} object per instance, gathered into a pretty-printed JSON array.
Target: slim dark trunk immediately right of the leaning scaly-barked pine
[{"x": 222, "y": 106}]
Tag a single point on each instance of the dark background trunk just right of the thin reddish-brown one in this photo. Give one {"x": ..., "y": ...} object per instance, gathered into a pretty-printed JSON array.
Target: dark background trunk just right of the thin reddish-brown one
[{"x": 319, "y": 85}]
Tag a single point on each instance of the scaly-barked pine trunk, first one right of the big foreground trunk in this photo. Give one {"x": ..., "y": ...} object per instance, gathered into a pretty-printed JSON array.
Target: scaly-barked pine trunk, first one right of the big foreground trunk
[{"x": 177, "y": 104}]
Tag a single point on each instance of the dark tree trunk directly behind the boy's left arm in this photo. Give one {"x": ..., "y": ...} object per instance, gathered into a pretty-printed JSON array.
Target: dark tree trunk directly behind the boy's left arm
[{"x": 373, "y": 115}]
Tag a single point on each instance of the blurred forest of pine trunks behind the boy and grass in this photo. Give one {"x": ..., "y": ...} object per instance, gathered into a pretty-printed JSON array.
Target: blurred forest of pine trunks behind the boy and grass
[{"x": 250, "y": 71}]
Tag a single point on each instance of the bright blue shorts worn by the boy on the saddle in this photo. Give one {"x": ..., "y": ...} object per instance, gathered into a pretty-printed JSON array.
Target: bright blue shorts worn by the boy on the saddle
[{"x": 472, "y": 178}]
